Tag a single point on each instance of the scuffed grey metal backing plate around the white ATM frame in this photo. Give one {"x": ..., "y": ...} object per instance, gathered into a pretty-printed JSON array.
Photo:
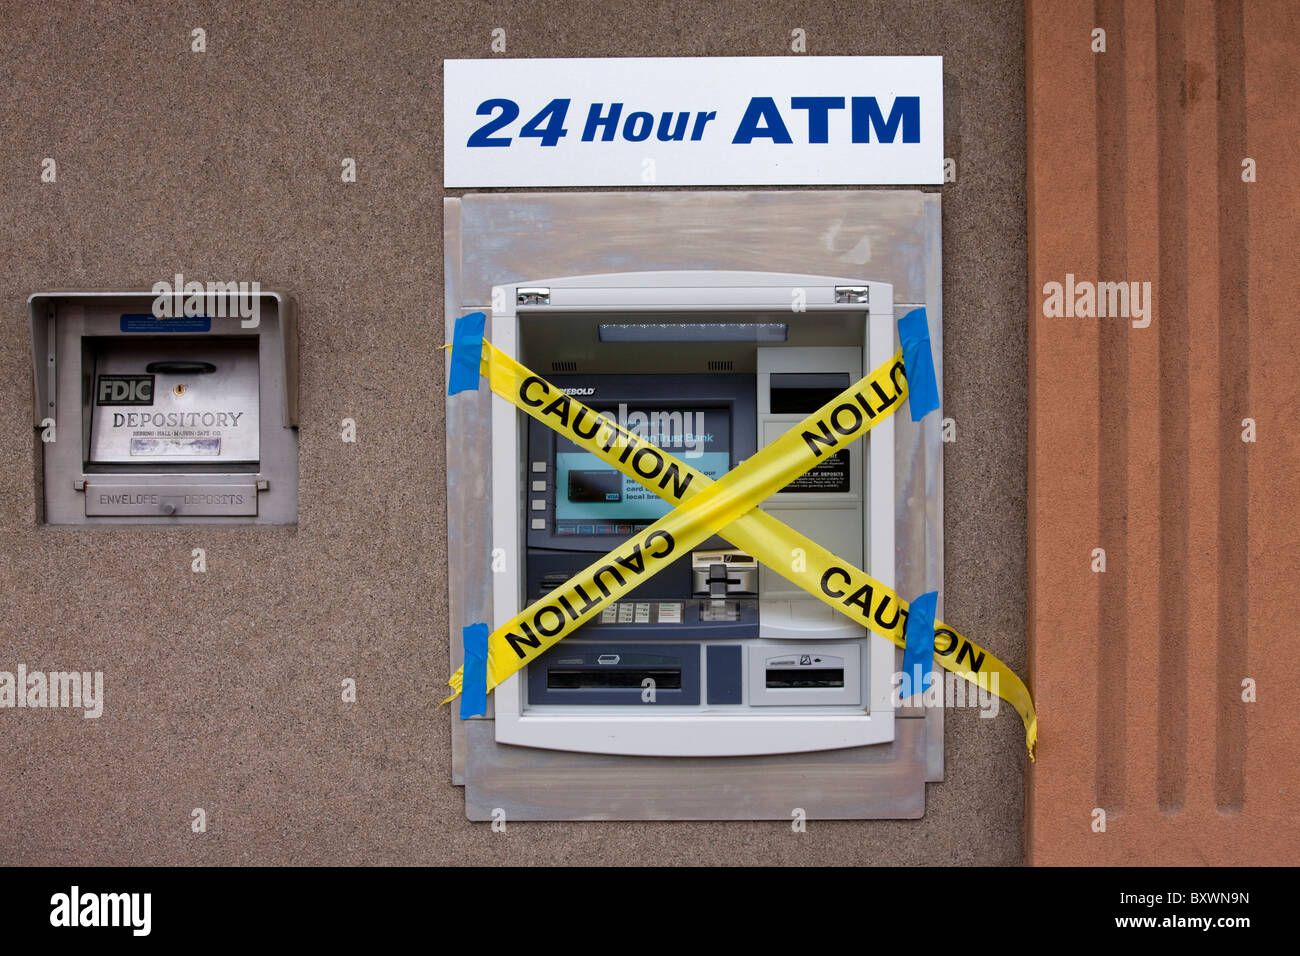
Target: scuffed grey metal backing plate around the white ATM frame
[{"x": 493, "y": 239}]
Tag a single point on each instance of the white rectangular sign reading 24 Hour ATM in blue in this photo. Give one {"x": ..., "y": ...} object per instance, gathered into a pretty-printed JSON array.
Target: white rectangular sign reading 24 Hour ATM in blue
[{"x": 731, "y": 122}]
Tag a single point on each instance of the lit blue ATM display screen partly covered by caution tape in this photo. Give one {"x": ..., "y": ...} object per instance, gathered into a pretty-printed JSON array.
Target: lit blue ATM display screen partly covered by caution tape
[{"x": 593, "y": 499}]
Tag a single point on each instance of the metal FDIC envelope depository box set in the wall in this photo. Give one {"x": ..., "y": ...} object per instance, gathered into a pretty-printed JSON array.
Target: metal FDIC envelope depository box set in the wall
[{"x": 149, "y": 421}]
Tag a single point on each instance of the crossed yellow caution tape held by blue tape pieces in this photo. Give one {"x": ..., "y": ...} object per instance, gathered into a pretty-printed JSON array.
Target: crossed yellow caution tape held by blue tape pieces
[{"x": 705, "y": 508}]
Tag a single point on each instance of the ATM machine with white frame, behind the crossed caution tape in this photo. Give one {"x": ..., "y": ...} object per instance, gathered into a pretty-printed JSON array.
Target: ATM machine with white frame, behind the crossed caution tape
[{"x": 717, "y": 656}]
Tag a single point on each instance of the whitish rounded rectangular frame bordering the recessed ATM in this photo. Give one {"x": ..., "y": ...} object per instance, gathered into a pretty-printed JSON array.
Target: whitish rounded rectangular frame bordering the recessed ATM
[{"x": 695, "y": 734}]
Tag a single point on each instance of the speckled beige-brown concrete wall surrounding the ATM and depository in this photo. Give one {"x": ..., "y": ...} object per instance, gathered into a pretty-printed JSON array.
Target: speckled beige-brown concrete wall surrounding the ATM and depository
[{"x": 223, "y": 690}]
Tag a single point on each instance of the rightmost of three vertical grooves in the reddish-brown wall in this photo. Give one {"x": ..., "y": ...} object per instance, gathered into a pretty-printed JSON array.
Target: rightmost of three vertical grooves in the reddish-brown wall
[{"x": 1236, "y": 386}]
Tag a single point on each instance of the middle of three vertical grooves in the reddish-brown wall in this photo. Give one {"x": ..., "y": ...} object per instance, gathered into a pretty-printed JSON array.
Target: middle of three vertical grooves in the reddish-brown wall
[{"x": 1175, "y": 410}]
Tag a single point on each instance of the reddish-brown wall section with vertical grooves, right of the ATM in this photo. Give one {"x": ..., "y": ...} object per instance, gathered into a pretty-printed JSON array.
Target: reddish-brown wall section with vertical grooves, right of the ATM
[{"x": 1136, "y": 175}]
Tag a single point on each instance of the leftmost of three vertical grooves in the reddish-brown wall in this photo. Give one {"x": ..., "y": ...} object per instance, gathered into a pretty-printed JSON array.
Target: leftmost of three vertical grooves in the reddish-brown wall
[{"x": 1113, "y": 382}]
